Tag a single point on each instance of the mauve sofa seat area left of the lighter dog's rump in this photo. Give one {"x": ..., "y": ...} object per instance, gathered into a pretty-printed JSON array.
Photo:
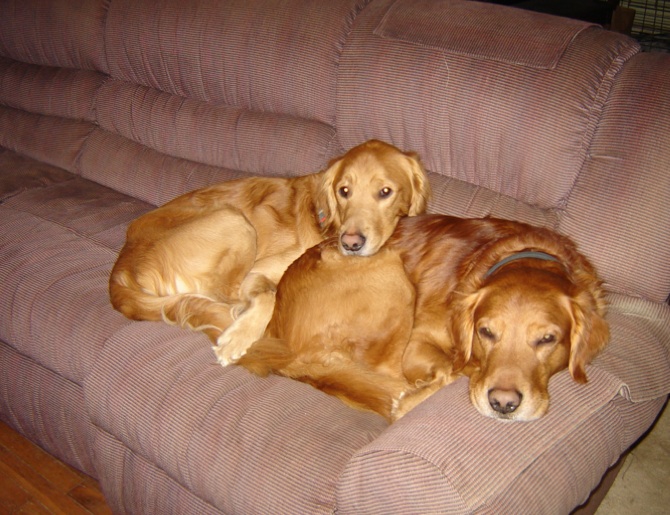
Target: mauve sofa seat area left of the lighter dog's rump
[{"x": 57, "y": 246}]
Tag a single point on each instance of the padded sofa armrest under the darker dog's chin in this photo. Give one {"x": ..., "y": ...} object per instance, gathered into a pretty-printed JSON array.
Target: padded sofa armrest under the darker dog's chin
[{"x": 444, "y": 456}]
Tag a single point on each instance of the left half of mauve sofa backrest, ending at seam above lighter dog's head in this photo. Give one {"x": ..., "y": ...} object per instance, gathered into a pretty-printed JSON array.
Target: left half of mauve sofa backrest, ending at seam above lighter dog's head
[{"x": 170, "y": 96}]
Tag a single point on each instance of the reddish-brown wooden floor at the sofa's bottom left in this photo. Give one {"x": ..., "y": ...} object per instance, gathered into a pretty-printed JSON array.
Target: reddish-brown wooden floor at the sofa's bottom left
[{"x": 34, "y": 482}]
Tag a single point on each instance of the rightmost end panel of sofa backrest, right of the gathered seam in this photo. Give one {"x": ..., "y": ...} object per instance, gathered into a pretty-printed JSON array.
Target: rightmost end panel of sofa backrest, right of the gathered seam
[{"x": 618, "y": 210}]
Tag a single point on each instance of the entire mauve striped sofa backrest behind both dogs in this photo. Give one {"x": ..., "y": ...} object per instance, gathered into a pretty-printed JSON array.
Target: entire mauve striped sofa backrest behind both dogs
[{"x": 515, "y": 114}]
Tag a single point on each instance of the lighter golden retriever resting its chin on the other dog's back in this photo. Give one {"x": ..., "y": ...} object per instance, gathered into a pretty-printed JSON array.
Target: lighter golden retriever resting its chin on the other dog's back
[{"x": 210, "y": 260}]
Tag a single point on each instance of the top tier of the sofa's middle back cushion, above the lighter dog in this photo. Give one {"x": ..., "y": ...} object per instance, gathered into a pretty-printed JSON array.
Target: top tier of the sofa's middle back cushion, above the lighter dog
[{"x": 260, "y": 56}]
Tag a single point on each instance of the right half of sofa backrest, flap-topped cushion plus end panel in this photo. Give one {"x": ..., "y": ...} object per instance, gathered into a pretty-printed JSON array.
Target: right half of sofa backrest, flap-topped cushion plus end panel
[{"x": 525, "y": 116}]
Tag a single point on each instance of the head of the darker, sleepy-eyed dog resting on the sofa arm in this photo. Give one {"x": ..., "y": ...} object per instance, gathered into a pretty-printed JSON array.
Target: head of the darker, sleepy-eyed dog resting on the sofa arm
[{"x": 524, "y": 322}]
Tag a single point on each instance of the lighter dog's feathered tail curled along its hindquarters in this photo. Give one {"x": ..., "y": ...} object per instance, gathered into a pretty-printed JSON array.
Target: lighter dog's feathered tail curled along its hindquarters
[{"x": 190, "y": 310}]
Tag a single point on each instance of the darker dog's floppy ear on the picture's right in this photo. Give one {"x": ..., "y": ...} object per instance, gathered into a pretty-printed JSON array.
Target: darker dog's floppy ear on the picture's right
[{"x": 590, "y": 333}]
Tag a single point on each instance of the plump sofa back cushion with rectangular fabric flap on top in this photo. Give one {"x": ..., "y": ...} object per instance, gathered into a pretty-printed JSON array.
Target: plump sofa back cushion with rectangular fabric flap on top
[{"x": 470, "y": 98}]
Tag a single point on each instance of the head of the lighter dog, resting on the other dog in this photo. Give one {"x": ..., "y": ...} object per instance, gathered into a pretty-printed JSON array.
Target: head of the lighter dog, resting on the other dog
[{"x": 366, "y": 192}]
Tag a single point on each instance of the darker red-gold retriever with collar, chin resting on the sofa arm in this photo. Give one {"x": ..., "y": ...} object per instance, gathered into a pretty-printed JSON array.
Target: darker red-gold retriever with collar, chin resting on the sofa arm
[{"x": 503, "y": 302}]
